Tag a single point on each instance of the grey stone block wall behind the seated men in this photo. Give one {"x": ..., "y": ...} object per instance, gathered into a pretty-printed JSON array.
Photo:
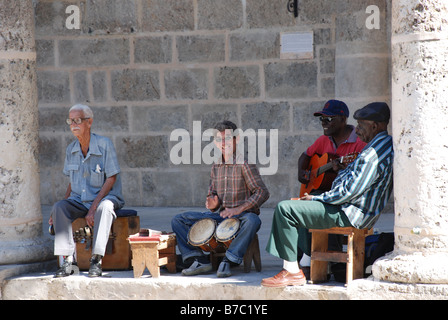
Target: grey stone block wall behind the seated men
[{"x": 148, "y": 67}]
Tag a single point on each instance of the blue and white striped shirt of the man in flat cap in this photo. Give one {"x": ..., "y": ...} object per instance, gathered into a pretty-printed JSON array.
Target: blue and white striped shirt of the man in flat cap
[{"x": 364, "y": 187}]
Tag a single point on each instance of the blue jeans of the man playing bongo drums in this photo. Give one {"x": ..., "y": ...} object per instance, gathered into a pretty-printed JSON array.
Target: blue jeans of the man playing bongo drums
[{"x": 249, "y": 225}]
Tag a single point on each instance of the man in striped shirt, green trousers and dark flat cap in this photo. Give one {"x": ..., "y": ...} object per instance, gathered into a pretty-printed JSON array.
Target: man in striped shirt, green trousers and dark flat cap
[{"x": 358, "y": 195}]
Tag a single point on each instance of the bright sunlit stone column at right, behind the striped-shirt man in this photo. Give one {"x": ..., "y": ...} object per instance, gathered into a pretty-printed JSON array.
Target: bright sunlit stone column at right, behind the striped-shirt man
[{"x": 420, "y": 126}]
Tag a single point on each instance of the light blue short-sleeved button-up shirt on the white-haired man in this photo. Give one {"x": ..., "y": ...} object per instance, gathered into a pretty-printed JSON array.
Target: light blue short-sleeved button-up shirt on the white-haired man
[{"x": 88, "y": 174}]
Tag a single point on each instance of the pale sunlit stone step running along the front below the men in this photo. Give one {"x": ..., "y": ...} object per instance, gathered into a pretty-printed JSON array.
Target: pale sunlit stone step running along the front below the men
[{"x": 241, "y": 287}]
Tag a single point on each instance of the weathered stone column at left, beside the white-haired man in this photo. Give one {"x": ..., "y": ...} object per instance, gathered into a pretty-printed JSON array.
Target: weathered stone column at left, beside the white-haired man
[{"x": 21, "y": 238}]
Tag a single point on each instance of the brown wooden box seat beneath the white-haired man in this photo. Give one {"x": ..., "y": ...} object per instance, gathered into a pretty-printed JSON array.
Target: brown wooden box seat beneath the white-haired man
[{"x": 118, "y": 252}]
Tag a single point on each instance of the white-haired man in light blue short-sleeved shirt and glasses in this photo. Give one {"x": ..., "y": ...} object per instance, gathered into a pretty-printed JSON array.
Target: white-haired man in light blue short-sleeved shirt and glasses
[{"x": 94, "y": 192}]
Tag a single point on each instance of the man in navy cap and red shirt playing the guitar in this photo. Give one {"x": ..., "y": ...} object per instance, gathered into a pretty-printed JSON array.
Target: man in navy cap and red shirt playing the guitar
[{"x": 339, "y": 139}]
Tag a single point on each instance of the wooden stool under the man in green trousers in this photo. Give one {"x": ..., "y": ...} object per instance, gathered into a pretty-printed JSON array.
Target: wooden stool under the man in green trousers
[{"x": 354, "y": 257}]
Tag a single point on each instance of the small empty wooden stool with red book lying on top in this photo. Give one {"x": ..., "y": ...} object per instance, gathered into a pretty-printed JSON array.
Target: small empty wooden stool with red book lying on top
[{"x": 153, "y": 254}]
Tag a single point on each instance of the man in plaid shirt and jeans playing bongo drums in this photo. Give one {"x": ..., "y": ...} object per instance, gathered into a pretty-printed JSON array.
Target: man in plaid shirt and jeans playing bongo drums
[{"x": 236, "y": 190}]
